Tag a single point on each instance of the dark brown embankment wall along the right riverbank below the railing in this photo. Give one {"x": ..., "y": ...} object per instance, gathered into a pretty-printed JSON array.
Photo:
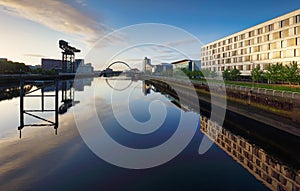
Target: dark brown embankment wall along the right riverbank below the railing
[{"x": 280, "y": 112}]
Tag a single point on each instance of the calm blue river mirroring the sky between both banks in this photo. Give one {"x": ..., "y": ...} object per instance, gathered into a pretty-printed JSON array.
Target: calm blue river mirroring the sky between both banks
[{"x": 79, "y": 155}]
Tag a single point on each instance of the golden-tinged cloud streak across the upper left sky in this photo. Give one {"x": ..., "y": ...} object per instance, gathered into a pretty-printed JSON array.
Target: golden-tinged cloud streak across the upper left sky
[{"x": 59, "y": 16}]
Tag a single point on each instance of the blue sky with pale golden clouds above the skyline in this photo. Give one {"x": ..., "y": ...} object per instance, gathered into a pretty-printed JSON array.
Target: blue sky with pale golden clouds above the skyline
[{"x": 107, "y": 30}]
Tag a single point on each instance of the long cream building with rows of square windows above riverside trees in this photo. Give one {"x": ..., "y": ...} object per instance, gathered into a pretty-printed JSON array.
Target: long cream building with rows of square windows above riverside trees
[{"x": 274, "y": 41}]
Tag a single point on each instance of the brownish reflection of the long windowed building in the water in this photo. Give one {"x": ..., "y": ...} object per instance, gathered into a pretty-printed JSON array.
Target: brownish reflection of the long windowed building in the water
[{"x": 274, "y": 174}]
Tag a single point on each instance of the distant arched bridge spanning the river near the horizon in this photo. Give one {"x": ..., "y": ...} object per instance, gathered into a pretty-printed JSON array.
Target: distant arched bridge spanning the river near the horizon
[{"x": 109, "y": 71}]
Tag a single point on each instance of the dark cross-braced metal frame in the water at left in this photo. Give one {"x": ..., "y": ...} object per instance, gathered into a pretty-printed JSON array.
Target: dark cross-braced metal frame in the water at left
[{"x": 42, "y": 96}]
